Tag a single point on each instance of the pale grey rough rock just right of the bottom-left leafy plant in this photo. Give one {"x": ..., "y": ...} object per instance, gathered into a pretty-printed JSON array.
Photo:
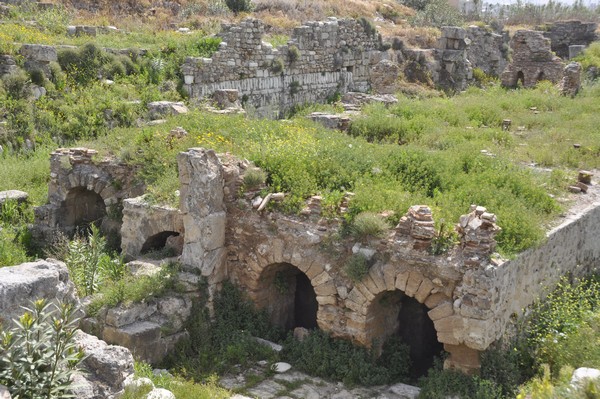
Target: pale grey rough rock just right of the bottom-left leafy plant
[{"x": 106, "y": 368}]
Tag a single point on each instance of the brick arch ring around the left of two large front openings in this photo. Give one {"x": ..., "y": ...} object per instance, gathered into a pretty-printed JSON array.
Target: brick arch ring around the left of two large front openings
[{"x": 312, "y": 264}]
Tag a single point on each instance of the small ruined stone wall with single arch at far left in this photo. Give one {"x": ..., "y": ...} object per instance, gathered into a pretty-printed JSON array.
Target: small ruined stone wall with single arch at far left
[{"x": 82, "y": 190}]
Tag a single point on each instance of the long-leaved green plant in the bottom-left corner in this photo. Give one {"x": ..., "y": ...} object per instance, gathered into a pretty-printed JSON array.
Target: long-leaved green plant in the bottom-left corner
[{"x": 38, "y": 356}]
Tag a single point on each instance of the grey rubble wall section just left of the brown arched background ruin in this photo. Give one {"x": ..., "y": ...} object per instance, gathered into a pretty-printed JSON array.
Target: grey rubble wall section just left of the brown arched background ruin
[{"x": 488, "y": 50}]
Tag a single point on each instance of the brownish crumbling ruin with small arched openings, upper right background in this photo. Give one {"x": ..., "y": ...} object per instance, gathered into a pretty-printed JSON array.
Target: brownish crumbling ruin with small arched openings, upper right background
[{"x": 532, "y": 60}]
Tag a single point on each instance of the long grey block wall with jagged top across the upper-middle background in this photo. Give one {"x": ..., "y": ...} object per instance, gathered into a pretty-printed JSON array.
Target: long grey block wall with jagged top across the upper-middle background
[{"x": 320, "y": 59}]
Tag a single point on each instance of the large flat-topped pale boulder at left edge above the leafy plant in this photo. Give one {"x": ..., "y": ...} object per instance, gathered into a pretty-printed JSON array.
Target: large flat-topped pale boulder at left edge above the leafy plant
[{"x": 21, "y": 284}]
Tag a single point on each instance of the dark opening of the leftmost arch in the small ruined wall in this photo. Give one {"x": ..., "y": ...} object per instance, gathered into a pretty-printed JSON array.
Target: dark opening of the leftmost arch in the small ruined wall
[{"x": 82, "y": 208}]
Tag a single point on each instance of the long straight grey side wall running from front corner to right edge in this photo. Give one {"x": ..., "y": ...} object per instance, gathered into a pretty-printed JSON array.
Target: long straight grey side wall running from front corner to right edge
[{"x": 497, "y": 293}]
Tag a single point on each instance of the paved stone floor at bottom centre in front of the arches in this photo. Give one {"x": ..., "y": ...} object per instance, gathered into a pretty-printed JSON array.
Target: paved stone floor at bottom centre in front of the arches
[{"x": 259, "y": 382}]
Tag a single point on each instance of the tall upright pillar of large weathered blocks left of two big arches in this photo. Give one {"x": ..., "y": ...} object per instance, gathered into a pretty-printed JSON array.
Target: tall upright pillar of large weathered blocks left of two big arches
[{"x": 203, "y": 209}]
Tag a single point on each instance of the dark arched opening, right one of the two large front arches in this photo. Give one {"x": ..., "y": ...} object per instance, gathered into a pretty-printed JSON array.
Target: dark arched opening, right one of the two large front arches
[{"x": 393, "y": 313}]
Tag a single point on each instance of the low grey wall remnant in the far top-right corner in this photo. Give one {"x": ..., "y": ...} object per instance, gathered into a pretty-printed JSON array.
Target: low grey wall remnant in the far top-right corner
[{"x": 563, "y": 34}]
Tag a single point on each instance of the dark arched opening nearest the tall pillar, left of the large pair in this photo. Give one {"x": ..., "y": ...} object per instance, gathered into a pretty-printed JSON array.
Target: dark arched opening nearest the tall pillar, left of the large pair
[{"x": 288, "y": 296}]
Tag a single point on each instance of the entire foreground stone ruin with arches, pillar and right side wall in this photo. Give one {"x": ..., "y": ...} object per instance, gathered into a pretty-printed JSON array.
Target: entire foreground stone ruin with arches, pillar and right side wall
[{"x": 461, "y": 302}]
